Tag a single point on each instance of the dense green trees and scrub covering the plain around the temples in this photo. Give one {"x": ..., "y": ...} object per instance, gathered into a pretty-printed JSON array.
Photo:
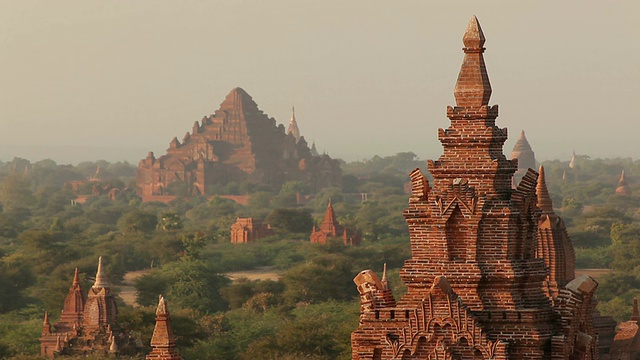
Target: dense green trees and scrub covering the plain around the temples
[{"x": 183, "y": 249}]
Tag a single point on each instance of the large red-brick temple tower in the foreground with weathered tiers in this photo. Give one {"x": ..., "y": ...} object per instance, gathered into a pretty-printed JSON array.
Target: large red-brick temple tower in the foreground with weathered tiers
[{"x": 491, "y": 274}]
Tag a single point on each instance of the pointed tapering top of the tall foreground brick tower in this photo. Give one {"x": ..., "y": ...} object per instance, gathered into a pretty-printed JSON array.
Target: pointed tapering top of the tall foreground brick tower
[{"x": 473, "y": 87}]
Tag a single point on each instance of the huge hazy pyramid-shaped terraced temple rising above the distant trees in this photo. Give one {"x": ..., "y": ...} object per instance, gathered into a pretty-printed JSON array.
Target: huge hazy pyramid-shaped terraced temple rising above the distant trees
[{"x": 238, "y": 143}]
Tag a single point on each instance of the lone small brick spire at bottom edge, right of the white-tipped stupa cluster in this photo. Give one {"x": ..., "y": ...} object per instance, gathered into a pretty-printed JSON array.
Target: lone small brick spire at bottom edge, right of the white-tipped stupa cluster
[{"x": 163, "y": 342}]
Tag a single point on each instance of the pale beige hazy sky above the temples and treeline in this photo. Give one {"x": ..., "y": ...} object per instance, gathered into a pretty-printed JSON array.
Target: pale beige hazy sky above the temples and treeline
[{"x": 85, "y": 80}]
